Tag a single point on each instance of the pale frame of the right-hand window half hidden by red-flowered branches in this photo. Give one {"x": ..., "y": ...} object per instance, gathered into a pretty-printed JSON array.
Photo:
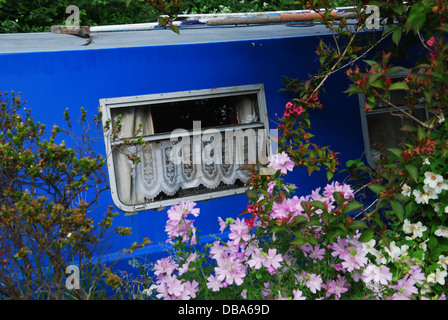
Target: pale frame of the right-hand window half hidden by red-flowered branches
[{"x": 365, "y": 114}]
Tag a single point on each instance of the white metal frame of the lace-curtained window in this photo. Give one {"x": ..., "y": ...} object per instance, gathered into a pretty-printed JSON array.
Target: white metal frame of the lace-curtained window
[{"x": 132, "y": 101}]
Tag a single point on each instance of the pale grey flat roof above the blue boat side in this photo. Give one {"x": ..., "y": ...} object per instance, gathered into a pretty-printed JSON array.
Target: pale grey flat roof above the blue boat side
[{"x": 195, "y": 34}]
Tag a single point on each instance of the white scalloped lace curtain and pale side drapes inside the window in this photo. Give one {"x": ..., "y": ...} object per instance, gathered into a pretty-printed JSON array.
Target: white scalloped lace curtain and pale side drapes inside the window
[{"x": 158, "y": 172}]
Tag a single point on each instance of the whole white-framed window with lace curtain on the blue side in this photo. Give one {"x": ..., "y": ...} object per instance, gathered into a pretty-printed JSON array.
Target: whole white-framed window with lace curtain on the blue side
[{"x": 194, "y": 144}]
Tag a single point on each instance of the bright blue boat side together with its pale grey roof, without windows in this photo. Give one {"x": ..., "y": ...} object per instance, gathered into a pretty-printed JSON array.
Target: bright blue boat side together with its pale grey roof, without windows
[{"x": 54, "y": 72}]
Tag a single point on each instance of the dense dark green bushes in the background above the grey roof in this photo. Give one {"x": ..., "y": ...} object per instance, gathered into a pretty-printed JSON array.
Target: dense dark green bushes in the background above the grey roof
[{"x": 40, "y": 15}]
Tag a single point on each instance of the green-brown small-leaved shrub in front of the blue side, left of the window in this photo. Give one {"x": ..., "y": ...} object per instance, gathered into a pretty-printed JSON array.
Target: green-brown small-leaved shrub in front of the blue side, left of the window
[{"x": 47, "y": 192}]
